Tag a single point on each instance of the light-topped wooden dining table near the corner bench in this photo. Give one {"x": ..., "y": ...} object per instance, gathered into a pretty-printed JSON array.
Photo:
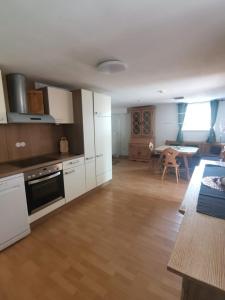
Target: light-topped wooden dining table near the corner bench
[{"x": 184, "y": 151}]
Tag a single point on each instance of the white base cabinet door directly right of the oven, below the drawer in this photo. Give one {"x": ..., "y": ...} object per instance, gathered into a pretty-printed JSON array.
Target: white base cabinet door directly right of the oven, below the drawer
[{"x": 74, "y": 182}]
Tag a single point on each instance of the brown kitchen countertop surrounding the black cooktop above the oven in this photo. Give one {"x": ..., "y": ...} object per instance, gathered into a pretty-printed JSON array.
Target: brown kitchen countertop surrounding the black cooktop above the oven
[{"x": 8, "y": 169}]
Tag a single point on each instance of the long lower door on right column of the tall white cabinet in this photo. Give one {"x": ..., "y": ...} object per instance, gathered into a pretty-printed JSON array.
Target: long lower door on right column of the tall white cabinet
[{"x": 103, "y": 148}]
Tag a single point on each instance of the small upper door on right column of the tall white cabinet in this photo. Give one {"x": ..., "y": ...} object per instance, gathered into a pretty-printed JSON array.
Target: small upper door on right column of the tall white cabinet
[{"x": 102, "y": 105}]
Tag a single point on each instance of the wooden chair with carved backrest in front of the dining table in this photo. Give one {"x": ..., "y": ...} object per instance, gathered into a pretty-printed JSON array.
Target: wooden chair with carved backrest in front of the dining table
[{"x": 169, "y": 156}]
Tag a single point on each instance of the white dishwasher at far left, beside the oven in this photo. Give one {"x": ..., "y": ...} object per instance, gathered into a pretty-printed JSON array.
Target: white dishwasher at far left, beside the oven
[{"x": 14, "y": 223}]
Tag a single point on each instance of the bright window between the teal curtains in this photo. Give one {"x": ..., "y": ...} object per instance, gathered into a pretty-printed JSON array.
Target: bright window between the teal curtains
[{"x": 197, "y": 117}]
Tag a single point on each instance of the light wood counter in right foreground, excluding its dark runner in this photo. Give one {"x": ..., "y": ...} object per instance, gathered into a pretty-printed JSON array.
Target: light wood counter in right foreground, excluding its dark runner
[{"x": 199, "y": 252}]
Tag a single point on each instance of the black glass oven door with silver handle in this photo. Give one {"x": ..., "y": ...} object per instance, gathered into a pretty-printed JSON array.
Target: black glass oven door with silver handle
[{"x": 44, "y": 191}]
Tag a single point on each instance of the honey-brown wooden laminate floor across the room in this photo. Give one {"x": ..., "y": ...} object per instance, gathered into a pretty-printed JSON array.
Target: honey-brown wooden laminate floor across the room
[{"x": 113, "y": 244}]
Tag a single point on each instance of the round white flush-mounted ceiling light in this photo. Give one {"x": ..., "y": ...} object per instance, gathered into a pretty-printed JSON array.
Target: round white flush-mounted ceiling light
[{"x": 111, "y": 66}]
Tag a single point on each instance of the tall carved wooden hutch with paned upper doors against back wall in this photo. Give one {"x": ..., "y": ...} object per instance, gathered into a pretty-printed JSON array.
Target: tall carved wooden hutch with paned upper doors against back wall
[{"x": 142, "y": 132}]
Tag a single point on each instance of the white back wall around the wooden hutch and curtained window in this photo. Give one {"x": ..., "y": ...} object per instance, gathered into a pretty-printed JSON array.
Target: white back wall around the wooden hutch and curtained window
[{"x": 166, "y": 127}]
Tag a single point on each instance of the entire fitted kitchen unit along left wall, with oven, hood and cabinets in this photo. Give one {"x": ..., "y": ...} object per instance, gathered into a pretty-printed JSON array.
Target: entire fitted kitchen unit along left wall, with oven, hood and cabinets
[{"x": 35, "y": 178}]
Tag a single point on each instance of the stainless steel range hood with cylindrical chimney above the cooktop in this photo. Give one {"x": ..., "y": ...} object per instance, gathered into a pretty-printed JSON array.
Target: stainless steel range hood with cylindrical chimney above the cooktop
[{"x": 16, "y": 84}]
